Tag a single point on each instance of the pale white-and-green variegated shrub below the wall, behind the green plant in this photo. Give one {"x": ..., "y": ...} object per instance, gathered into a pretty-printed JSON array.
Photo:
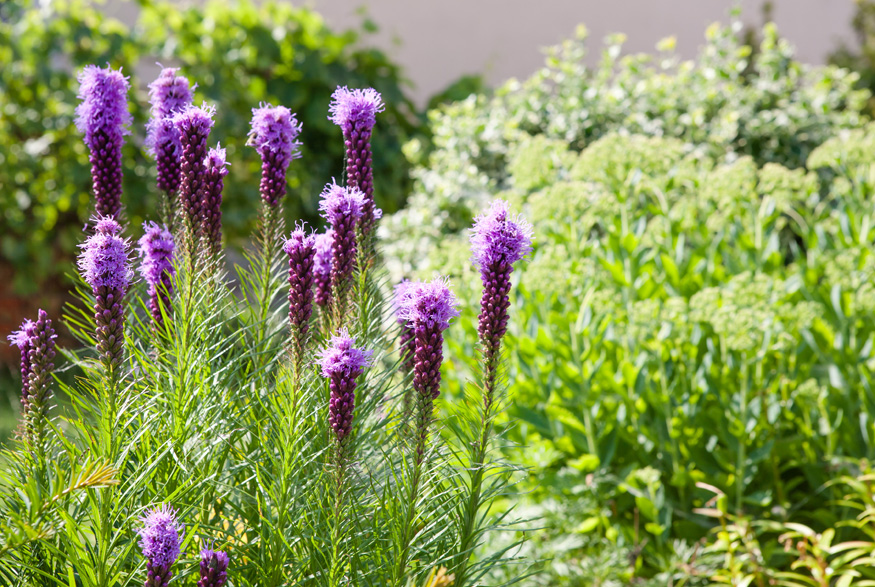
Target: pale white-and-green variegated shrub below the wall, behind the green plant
[{"x": 729, "y": 103}]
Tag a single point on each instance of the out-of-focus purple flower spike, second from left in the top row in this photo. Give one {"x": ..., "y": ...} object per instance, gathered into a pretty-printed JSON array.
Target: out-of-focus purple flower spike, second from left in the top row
[{"x": 168, "y": 94}]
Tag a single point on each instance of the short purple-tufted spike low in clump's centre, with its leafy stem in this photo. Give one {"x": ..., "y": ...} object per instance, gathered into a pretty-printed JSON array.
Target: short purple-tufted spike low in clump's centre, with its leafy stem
[{"x": 342, "y": 363}]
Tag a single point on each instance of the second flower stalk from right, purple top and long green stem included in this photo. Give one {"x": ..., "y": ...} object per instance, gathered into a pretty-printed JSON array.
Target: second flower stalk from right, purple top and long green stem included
[{"x": 427, "y": 309}]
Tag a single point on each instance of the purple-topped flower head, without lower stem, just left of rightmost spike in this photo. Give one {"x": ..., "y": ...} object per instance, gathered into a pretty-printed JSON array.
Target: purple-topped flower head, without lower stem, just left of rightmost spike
[{"x": 427, "y": 309}]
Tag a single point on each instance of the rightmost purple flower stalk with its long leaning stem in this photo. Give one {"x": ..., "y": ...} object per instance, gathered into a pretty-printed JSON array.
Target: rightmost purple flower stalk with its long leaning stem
[{"x": 498, "y": 240}]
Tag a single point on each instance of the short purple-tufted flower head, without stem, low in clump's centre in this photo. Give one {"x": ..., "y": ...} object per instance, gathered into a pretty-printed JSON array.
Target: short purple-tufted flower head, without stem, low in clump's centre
[{"x": 342, "y": 363}]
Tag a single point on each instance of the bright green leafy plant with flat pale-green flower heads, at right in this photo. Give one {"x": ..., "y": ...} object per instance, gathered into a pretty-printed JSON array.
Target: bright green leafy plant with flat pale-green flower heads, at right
[{"x": 684, "y": 320}]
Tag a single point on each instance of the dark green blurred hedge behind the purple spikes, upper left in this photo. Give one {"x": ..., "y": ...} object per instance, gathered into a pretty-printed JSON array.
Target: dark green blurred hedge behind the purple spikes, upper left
[{"x": 241, "y": 54}]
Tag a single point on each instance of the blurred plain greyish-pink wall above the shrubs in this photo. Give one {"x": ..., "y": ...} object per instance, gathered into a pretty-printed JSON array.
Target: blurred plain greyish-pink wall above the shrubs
[{"x": 437, "y": 42}]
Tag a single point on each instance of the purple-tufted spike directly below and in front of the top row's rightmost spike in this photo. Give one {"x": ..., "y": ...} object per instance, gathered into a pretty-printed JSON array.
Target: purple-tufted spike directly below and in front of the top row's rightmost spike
[{"x": 342, "y": 207}]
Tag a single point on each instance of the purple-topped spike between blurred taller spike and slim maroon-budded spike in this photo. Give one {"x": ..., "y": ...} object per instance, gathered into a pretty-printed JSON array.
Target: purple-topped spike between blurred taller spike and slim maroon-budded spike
[{"x": 194, "y": 125}]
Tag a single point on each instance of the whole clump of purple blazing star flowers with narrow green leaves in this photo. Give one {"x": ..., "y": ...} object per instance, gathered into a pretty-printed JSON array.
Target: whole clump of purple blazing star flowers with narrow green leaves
[{"x": 230, "y": 428}]
